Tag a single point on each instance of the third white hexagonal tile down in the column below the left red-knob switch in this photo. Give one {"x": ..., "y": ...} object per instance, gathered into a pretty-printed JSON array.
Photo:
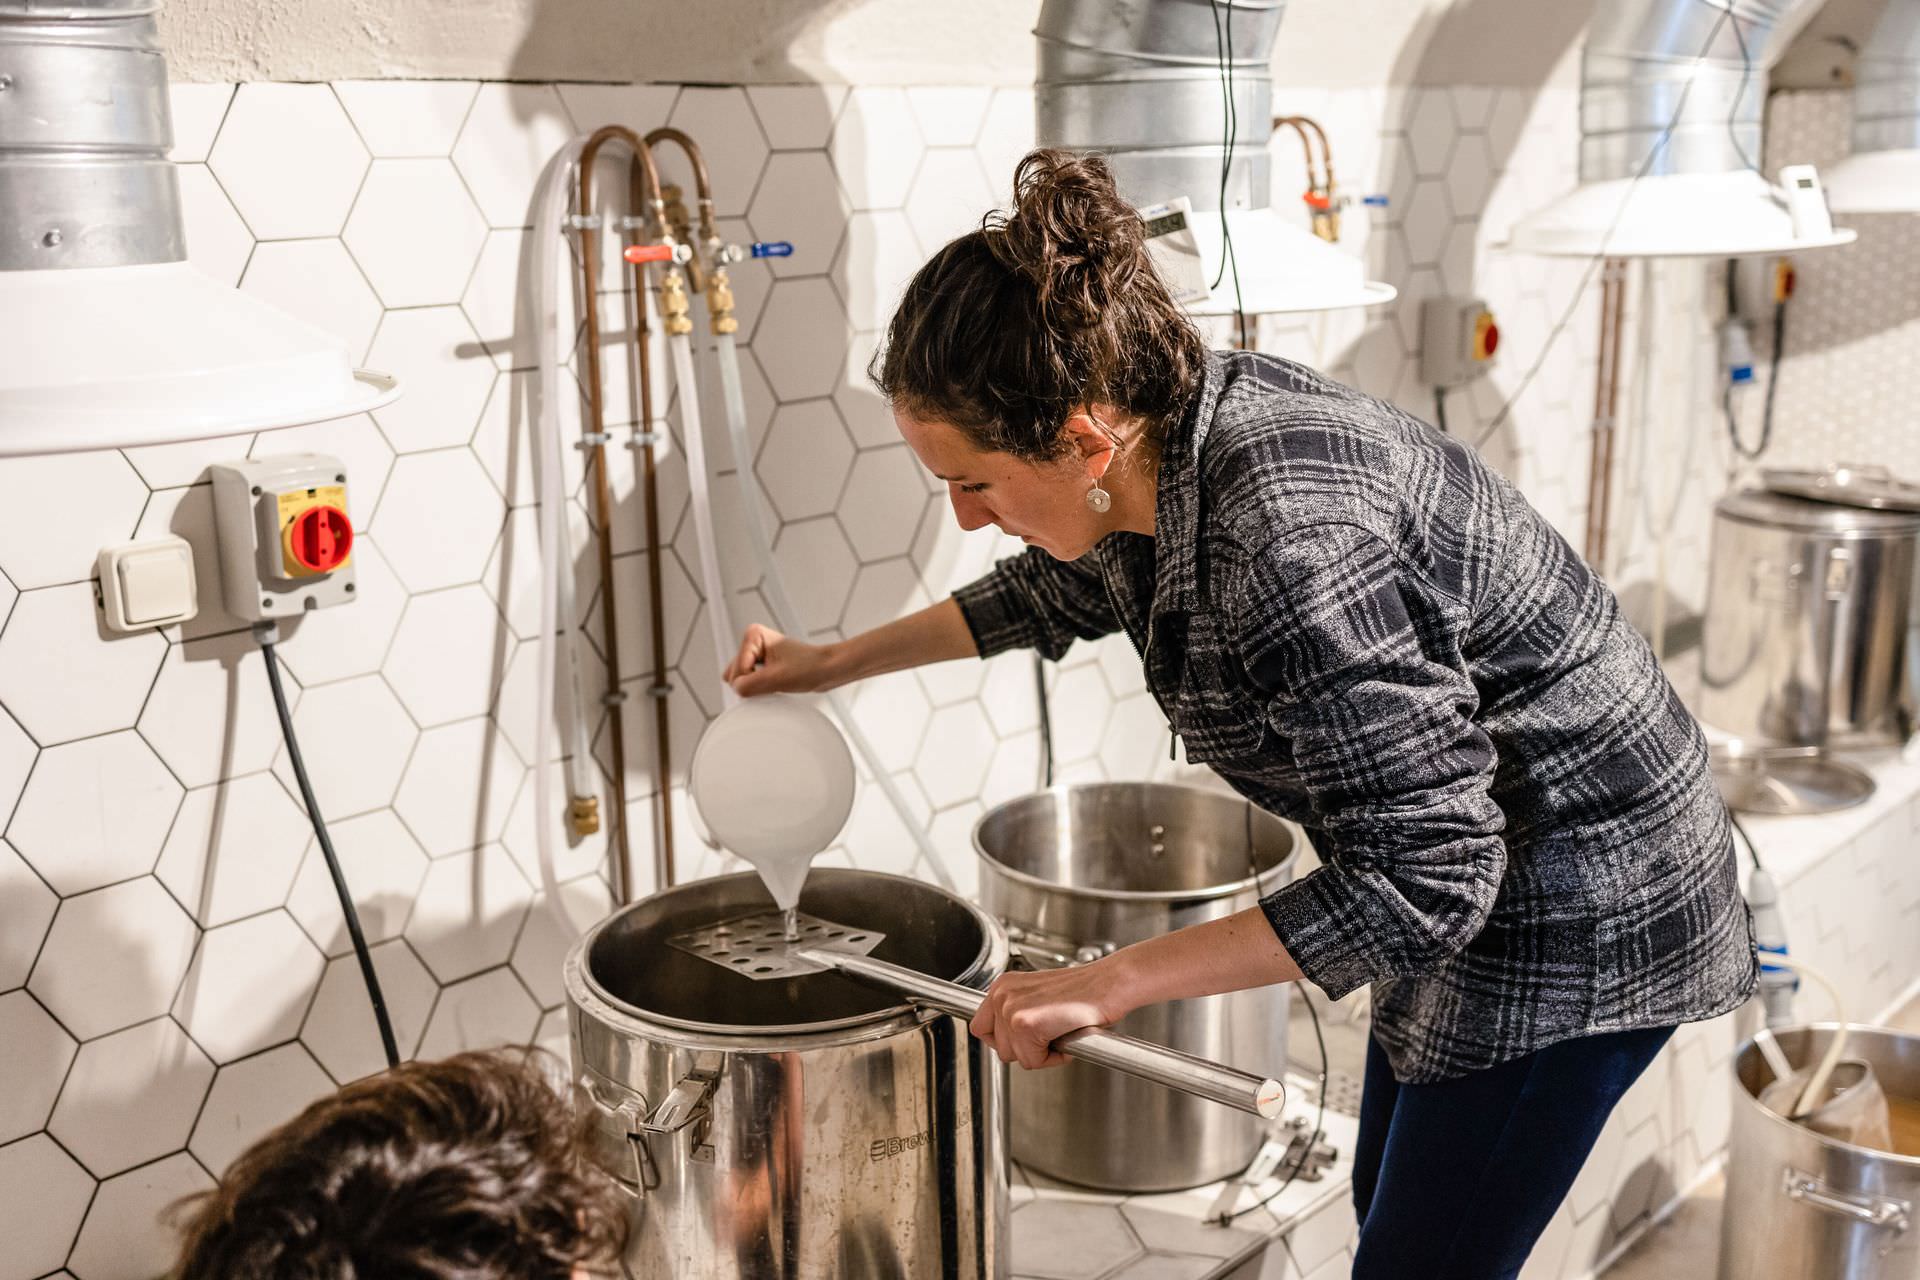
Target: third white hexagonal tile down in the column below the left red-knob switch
[{"x": 249, "y": 987}]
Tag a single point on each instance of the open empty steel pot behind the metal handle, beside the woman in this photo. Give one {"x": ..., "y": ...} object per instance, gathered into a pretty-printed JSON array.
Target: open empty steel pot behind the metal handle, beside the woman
[{"x": 1080, "y": 872}]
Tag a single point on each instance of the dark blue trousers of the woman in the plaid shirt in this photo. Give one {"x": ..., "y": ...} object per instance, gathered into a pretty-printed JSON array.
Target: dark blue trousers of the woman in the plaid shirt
[{"x": 1456, "y": 1181}]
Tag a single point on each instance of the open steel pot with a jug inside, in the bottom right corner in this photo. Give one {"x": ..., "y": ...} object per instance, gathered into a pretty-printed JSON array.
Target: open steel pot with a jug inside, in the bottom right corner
[{"x": 1802, "y": 1206}]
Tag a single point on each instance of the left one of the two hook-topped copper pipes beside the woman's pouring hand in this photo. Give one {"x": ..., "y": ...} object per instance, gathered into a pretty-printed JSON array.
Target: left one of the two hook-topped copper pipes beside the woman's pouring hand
[{"x": 596, "y": 437}]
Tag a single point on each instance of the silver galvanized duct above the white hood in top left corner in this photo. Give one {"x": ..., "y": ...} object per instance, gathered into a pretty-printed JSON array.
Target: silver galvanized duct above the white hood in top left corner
[{"x": 85, "y": 130}]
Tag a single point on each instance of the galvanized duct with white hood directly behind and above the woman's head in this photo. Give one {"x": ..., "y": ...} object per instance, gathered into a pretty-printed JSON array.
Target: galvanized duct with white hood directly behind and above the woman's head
[{"x": 1141, "y": 83}]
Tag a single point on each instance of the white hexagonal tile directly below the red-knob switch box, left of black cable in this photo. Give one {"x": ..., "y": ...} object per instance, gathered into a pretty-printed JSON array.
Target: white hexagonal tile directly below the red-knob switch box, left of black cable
[{"x": 212, "y": 711}]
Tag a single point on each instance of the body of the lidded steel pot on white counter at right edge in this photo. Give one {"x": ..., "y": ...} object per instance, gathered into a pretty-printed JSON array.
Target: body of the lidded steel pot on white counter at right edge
[{"x": 1810, "y": 611}]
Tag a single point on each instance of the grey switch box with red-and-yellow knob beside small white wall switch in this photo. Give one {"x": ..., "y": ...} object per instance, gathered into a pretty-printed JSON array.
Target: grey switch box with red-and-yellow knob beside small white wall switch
[{"x": 287, "y": 542}]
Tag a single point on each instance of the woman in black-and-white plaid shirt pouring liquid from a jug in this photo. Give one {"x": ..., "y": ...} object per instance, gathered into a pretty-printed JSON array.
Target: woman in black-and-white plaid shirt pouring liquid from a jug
[{"x": 1362, "y": 628}]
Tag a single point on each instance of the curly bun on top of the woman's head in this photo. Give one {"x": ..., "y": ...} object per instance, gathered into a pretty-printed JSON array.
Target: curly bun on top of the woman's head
[{"x": 1070, "y": 235}]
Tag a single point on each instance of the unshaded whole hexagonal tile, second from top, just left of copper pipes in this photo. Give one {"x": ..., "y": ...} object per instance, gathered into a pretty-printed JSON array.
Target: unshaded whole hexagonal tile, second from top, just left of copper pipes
[{"x": 416, "y": 233}]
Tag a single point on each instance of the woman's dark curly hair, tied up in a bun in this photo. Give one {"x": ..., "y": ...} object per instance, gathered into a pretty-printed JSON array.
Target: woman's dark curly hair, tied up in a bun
[{"x": 1011, "y": 329}]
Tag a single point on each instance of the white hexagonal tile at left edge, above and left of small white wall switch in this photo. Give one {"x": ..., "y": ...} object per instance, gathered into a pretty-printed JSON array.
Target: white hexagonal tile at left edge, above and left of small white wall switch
[{"x": 59, "y": 511}]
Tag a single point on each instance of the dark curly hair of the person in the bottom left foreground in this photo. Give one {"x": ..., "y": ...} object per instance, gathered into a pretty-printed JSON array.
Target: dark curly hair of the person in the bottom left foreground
[{"x": 458, "y": 1170}]
